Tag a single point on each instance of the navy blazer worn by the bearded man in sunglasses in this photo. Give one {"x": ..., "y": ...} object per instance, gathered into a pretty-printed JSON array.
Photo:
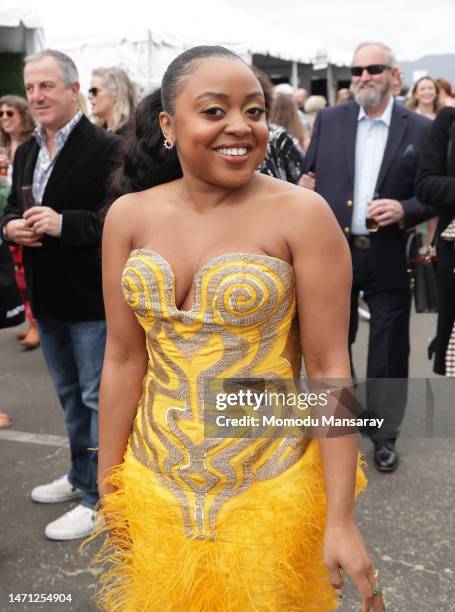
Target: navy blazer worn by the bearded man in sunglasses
[{"x": 331, "y": 156}]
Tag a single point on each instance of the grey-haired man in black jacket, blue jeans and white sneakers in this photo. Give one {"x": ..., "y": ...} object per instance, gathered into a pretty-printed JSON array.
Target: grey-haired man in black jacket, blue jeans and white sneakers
[{"x": 62, "y": 172}]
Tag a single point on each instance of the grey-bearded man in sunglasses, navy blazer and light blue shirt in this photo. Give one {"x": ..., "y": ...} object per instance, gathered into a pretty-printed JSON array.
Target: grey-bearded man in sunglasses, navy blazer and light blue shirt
[{"x": 363, "y": 159}]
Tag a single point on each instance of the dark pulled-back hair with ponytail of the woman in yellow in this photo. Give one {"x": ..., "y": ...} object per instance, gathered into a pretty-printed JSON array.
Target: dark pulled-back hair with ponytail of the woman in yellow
[{"x": 144, "y": 162}]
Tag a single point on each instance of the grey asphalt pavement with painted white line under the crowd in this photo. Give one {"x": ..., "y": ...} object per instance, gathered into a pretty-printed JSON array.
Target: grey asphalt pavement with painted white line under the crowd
[{"x": 407, "y": 518}]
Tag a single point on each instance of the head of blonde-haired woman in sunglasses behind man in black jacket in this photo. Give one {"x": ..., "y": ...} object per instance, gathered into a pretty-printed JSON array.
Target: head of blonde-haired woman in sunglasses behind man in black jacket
[{"x": 113, "y": 97}]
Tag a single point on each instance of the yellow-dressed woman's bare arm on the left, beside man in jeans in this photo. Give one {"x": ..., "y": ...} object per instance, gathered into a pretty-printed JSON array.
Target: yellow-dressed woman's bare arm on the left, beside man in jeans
[{"x": 125, "y": 359}]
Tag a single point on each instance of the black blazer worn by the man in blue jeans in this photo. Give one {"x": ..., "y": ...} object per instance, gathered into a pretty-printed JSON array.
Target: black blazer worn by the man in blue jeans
[{"x": 64, "y": 275}]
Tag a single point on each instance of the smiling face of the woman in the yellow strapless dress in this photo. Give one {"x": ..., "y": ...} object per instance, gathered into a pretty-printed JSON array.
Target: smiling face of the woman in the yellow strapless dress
[{"x": 220, "y": 111}]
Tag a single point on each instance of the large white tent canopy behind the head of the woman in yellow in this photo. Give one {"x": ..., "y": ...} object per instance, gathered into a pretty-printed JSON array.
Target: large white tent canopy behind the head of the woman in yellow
[{"x": 145, "y": 36}]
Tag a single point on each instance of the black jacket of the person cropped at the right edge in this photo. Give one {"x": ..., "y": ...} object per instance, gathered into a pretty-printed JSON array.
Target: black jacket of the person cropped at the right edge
[{"x": 436, "y": 184}]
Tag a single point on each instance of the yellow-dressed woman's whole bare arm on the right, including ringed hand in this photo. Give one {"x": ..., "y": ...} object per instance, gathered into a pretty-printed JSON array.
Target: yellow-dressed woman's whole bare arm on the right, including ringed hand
[{"x": 323, "y": 271}]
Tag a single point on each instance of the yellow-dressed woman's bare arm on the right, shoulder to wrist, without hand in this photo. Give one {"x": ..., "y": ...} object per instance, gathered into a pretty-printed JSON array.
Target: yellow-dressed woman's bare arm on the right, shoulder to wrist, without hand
[{"x": 323, "y": 270}]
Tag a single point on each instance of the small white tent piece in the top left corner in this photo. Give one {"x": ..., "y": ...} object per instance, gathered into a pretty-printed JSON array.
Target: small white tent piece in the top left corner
[{"x": 20, "y": 28}]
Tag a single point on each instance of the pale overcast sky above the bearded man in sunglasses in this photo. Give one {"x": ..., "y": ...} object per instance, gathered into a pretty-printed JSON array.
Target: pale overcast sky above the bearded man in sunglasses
[{"x": 413, "y": 28}]
